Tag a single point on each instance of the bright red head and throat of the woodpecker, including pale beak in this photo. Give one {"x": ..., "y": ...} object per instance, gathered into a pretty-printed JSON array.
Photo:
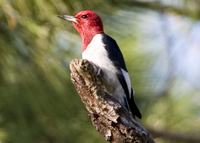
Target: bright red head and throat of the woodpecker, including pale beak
[{"x": 87, "y": 23}]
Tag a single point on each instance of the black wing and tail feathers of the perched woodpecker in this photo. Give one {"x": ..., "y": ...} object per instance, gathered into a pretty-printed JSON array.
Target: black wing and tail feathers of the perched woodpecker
[{"x": 117, "y": 58}]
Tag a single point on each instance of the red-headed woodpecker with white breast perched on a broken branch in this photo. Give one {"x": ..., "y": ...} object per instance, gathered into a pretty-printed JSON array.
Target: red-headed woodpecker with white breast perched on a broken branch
[{"x": 103, "y": 51}]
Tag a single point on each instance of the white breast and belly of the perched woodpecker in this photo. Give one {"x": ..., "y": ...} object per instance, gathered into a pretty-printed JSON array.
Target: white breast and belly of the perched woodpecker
[{"x": 97, "y": 53}]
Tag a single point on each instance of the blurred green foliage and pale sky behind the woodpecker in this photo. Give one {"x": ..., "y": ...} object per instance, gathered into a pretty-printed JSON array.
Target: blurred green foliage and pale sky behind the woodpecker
[{"x": 38, "y": 103}]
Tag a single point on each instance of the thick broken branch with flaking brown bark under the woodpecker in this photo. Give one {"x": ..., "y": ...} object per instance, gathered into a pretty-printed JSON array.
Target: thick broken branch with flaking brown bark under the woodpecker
[{"x": 107, "y": 115}]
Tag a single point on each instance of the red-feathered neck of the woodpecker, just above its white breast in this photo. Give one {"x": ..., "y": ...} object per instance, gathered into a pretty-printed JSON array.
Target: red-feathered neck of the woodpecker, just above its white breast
[{"x": 87, "y": 37}]
